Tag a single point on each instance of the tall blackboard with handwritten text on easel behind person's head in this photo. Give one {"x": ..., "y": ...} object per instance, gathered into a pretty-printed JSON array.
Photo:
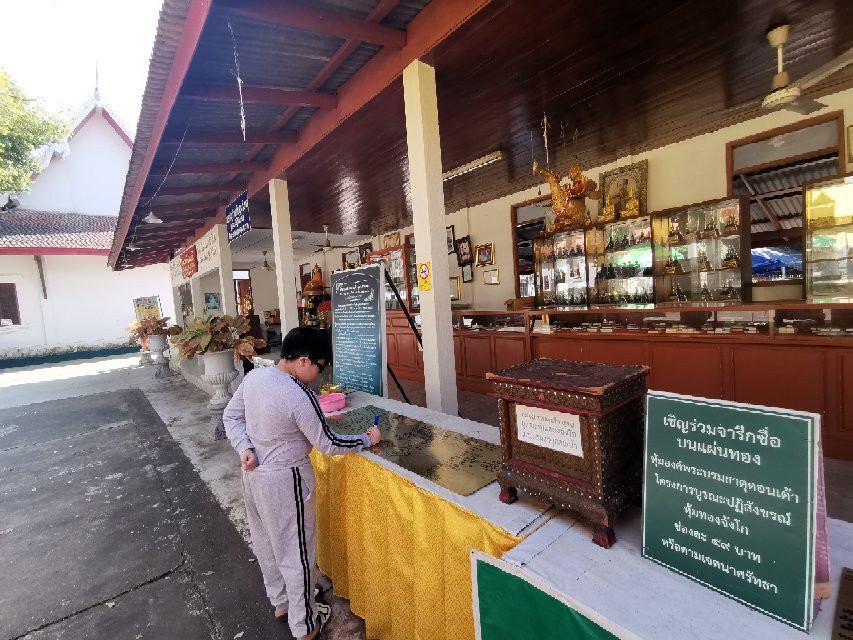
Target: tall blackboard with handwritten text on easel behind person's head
[{"x": 358, "y": 329}]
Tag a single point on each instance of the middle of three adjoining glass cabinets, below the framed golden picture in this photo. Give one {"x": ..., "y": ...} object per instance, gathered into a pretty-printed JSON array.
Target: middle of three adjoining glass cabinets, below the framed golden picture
[{"x": 619, "y": 264}]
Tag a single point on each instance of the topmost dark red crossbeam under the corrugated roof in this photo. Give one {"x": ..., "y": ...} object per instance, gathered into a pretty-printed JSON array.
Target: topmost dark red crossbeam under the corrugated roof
[{"x": 316, "y": 21}]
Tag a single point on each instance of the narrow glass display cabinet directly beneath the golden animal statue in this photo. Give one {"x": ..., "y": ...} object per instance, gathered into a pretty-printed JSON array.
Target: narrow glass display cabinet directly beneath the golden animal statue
[{"x": 561, "y": 270}]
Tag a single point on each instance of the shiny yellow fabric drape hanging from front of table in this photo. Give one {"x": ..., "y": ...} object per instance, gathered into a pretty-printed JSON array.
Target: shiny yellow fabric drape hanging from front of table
[{"x": 398, "y": 553}]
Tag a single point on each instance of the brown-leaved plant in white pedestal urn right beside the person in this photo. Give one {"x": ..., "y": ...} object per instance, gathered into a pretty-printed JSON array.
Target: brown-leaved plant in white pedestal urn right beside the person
[{"x": 220, "y": 342}]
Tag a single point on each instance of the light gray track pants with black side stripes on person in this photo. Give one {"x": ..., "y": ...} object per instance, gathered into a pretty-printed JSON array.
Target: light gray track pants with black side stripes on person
[{"x": 280, "y": 509}]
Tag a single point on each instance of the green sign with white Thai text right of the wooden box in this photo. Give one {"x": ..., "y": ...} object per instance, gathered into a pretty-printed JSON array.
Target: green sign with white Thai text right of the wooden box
[{"x": 729, "y": 500}]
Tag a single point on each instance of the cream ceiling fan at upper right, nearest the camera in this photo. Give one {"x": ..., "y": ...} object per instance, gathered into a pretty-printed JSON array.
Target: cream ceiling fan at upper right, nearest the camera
[{"x": 788, "y": 95}]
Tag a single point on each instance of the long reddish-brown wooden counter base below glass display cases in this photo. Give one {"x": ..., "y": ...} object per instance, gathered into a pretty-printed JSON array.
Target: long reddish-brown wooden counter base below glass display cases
[{"x": 806, "y": 374}]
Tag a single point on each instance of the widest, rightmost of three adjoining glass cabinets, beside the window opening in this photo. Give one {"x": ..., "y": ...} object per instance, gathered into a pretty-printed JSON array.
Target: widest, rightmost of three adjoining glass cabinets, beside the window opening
[{"x": 702, "y": 254}]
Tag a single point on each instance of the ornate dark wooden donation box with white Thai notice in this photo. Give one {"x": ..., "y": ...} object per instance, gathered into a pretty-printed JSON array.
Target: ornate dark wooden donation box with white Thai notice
[{"x": 572, "y": 432}]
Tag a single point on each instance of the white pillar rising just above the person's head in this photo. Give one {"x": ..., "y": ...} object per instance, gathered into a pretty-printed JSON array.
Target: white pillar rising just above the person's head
[{"x": 285, "y": 271}]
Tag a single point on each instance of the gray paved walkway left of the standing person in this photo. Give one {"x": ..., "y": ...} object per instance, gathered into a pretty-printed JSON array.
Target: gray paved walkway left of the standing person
[{"x": 119, "y": 516}]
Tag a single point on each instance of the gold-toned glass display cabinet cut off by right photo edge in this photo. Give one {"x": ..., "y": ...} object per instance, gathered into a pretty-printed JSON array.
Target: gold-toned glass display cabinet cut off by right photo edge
[{"x": 829, "y": 240}]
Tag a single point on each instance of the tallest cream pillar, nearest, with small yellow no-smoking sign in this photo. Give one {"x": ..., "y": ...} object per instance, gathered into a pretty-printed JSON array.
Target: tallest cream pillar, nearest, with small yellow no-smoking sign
[{"x": 430, "y": 235}]
